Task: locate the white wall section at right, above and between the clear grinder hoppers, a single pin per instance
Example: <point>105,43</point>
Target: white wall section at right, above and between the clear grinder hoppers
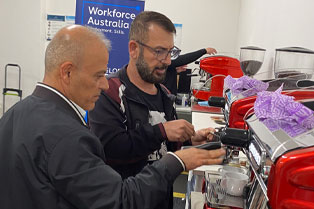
<point>272,24</point>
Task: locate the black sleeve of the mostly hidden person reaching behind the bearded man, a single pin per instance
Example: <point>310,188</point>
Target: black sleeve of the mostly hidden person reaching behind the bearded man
<point>171,77</point>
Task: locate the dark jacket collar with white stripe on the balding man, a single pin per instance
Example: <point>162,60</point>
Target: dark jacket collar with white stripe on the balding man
<point>53,95</point>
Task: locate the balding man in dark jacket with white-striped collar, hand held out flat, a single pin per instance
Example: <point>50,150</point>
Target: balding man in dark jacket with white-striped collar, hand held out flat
<point>48,157</point>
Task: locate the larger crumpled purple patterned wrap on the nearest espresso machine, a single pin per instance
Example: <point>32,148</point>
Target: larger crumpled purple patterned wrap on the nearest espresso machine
<point>279,111</point>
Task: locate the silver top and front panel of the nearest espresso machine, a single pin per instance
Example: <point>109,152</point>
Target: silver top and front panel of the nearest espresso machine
<point>264,149</point>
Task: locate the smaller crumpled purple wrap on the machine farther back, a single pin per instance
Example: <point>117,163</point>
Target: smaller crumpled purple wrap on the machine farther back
<point>245,85</point>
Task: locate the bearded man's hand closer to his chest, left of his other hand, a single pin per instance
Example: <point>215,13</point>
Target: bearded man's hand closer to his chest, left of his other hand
<point>179,130</point>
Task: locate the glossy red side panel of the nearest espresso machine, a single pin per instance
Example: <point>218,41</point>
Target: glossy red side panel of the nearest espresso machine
<point>290,183</point>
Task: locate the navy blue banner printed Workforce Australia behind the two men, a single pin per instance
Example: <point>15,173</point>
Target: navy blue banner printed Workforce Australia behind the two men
<point>113,18</point>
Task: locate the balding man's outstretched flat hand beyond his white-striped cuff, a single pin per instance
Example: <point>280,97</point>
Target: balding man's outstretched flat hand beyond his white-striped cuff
<point>193,157</point>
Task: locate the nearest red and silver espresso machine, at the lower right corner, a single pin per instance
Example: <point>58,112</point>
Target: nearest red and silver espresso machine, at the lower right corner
<point>280,168</point>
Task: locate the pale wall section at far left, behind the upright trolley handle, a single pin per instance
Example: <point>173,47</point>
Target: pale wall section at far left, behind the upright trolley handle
<point>21,41</point>
